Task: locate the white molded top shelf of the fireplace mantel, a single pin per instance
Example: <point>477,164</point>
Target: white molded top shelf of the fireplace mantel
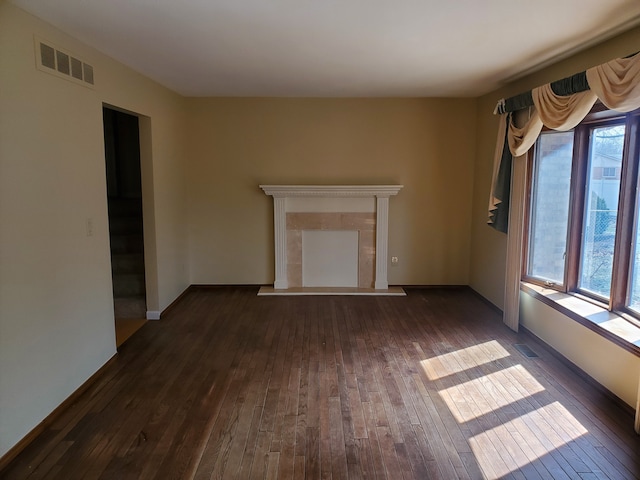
<point>331,190</point>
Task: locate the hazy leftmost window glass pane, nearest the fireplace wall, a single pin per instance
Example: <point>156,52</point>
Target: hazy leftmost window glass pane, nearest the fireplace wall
<point>550,206</point>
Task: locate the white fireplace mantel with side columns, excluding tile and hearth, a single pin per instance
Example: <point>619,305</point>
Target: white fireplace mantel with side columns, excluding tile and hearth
<point>379,193</point>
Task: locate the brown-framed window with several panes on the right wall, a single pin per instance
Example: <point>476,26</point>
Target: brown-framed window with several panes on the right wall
<point>583,211</point>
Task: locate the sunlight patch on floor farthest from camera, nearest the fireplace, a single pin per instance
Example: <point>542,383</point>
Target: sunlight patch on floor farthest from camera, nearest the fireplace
<point>463,359</point>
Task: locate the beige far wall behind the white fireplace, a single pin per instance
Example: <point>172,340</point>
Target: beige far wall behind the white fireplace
<point>236,144</point>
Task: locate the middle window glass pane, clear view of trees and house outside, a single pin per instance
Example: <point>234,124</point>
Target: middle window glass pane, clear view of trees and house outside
<point>602,190</point>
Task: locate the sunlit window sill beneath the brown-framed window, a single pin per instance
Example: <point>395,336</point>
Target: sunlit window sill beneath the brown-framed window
<point>601,321</point>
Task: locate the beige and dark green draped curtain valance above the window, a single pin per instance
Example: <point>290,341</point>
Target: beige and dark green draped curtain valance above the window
<point>558,105</point>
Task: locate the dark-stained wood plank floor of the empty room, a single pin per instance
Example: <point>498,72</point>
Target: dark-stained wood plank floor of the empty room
<point>232,385</point>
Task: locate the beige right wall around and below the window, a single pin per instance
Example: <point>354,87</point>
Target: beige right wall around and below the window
<point>612,366</point>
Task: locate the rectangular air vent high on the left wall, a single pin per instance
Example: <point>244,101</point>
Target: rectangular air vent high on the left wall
<point>62,63</point>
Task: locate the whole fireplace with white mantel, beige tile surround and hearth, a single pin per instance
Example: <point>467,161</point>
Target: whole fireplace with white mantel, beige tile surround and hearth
<point>331,239</point>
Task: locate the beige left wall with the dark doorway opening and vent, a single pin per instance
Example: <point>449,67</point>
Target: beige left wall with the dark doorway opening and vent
<point>56,313</point>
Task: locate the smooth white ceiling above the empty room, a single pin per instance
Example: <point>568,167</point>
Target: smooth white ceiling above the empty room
<point>337,48</point>
